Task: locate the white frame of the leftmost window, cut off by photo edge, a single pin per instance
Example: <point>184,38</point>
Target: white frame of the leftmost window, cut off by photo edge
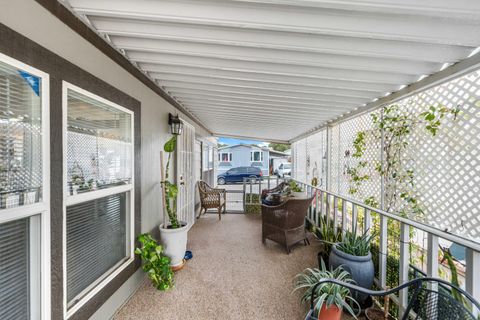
<point>38,213</point>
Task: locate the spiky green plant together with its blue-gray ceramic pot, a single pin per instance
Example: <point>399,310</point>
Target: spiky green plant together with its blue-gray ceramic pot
<point>353,253</point>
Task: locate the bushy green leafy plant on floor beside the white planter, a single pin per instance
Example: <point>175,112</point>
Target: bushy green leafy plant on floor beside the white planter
<point>156,264</point>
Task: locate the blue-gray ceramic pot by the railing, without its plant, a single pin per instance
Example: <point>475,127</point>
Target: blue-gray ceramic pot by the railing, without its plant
<point>360,268</point>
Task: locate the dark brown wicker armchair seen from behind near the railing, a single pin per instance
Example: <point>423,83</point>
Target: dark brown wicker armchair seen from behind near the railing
<point>285,223</point>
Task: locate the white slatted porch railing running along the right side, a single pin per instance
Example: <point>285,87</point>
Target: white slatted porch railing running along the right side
<point>347,214</point>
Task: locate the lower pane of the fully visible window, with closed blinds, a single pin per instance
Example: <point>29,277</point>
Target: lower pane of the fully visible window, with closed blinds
<point>96,242</point>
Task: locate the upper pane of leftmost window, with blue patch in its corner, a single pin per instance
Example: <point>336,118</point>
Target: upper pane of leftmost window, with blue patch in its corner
<point>20,137</point>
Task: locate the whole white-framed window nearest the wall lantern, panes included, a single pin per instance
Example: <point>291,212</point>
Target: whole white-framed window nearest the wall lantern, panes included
<point>99,178</point>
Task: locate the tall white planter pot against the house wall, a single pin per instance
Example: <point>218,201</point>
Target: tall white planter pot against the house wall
<point>174,242</point>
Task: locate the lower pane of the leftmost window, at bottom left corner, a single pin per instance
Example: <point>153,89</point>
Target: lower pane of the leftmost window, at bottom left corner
<point>14,270</point>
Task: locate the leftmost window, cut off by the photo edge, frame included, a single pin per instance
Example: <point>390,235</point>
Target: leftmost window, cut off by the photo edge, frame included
<point>24,192</point>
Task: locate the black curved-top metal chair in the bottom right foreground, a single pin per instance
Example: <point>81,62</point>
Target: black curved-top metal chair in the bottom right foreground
<point>429,298</point>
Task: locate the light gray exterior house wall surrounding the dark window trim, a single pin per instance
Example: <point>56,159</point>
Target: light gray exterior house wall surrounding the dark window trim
<point>31,20</point>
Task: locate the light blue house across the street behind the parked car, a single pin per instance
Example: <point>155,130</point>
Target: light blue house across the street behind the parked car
<point>243,155</point>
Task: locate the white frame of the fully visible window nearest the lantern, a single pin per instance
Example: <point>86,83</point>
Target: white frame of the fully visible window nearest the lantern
<point>70,200</point>
